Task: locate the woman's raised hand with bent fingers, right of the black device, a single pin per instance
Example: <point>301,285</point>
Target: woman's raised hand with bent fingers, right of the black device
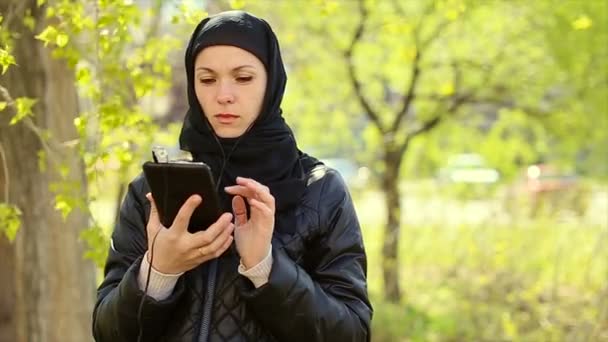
<point>253,236</point>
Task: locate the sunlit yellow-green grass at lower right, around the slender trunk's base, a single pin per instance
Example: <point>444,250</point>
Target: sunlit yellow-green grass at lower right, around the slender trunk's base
<point>540,282</point>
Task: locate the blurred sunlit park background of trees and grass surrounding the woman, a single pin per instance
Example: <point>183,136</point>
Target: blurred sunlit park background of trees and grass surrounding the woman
<point>473,136</point>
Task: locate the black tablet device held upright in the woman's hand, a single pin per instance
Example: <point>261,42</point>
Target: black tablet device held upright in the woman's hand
<point>172,183</point>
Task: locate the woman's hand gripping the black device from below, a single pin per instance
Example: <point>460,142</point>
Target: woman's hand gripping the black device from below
<point>176,250</point>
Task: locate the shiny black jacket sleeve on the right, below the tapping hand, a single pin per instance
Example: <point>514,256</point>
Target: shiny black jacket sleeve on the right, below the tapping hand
<point>329,303</point>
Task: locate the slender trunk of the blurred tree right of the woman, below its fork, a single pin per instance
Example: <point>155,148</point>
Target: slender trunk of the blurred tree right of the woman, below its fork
<point>390,260</point>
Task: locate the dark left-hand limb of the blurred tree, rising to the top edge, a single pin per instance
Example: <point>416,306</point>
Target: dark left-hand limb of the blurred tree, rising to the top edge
<point>348,54</point>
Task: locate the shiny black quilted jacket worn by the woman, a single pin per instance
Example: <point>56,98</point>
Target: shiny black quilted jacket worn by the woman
<point>316,290</point>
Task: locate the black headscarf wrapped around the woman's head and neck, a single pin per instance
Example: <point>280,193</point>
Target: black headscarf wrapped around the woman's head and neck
<point>267,152</point>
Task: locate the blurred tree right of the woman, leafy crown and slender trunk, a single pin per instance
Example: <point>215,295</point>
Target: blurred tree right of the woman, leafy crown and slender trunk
<point>386,75</point>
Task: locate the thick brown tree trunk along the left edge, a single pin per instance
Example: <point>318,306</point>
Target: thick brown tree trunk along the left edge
<point>50,286</point>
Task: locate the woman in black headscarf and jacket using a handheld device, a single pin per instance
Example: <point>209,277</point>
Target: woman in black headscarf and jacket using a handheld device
<point>297,268</point>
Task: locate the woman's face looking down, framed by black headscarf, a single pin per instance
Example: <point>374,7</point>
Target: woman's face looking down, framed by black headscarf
<point>229,83</point>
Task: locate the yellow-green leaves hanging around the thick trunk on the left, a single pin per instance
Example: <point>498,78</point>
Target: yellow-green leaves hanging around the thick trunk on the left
<point>115,67</point>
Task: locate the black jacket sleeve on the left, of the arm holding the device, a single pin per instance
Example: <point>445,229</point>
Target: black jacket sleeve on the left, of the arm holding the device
<point>115,317</point>
